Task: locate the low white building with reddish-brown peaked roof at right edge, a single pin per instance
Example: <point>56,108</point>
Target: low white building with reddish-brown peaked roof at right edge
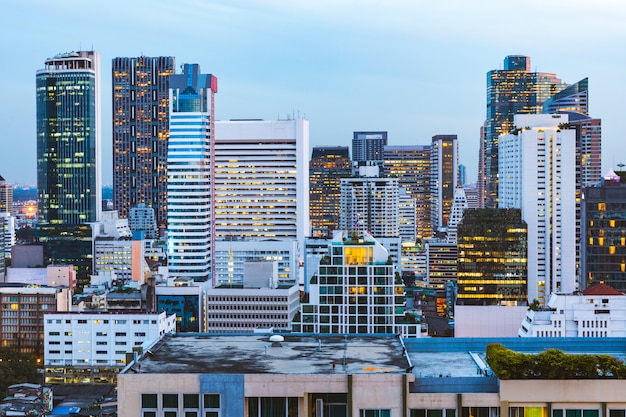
<point>599,311</point>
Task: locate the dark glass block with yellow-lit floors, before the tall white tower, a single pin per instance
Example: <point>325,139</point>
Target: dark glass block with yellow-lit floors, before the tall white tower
<point>492,259</point>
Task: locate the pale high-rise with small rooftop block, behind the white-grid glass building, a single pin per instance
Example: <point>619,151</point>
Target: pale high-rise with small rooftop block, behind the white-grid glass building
<point>369,204</point>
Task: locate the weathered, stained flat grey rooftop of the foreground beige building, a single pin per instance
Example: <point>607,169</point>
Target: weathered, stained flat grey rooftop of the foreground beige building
<point>255,354</point>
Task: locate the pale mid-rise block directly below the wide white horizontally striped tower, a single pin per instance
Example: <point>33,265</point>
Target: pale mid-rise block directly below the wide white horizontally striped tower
<point>231,256</point>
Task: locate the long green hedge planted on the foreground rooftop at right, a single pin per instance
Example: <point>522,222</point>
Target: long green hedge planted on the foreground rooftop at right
<point>552,364</point>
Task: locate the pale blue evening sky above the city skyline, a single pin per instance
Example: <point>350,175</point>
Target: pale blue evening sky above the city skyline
<point>413,68</point>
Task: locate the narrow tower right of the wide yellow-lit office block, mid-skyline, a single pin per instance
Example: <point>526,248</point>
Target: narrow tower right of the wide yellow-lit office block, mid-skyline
<point>443,179</point>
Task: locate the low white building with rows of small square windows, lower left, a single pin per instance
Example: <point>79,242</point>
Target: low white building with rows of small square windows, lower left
<point>90,347</point>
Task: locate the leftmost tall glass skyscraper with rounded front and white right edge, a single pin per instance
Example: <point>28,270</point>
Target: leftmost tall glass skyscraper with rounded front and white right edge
<point>69,184</point>
